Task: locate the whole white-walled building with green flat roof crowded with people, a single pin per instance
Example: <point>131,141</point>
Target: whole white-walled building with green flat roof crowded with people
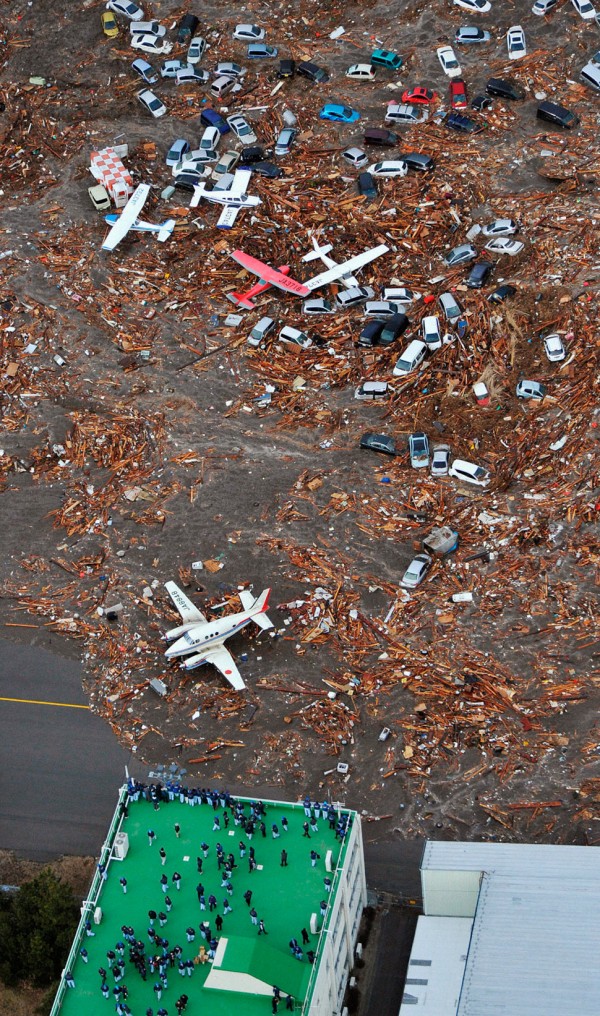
<point>313,893</point>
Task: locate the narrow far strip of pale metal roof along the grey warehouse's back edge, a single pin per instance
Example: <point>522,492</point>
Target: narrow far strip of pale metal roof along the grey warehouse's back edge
<point>536,860</point>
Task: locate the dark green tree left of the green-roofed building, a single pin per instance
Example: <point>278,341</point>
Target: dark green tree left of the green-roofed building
<point>37,928</point>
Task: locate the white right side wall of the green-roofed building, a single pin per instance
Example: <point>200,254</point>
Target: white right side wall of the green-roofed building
<point>339,938</point>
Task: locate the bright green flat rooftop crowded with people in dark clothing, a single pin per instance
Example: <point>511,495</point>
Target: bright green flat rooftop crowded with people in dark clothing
<point>247,965</point>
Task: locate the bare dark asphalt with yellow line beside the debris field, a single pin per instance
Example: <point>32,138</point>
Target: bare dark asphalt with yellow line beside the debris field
<point>61,768</point>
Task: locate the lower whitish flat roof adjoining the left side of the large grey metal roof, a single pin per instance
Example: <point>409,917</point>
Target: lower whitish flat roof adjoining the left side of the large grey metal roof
<point>437,966</point>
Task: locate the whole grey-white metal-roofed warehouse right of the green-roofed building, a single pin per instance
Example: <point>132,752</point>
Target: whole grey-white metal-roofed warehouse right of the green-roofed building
<point>509,930</point>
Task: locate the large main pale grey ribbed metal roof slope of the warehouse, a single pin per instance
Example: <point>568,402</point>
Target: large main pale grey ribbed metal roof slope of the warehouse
<point>536,944</point>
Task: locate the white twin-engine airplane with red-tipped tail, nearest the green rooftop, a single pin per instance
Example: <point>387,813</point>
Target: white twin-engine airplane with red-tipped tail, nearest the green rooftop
<point>206,640</point>
